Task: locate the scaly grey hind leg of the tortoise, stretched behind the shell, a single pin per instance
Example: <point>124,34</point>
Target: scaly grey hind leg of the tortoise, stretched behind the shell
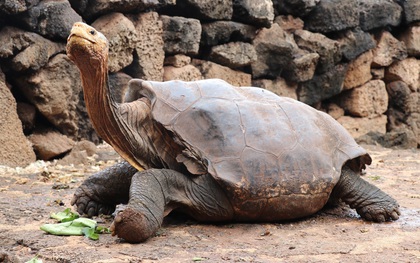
<point>371,203</point>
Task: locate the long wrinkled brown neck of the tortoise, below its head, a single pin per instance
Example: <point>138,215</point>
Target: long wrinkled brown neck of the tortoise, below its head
<point>111,122</point>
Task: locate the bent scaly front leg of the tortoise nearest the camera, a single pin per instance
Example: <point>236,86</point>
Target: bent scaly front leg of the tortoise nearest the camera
<point>155,193</point>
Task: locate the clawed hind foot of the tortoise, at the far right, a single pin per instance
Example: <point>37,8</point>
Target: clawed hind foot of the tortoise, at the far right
<point>380,212</point>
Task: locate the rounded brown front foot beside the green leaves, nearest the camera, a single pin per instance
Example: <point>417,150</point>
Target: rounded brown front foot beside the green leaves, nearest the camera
<point>131,226</point>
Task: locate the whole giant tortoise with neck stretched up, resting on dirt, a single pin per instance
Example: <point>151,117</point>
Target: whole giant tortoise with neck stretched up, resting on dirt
<point>214,151</point>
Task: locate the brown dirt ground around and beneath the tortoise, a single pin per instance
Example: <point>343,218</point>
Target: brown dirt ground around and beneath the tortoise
<point>28,196</point>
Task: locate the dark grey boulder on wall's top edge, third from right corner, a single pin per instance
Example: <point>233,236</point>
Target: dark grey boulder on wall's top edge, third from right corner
<point>333,15</point>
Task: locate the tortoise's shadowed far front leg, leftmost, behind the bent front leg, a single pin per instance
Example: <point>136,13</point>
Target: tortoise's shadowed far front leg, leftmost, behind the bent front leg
<point>101,192</point>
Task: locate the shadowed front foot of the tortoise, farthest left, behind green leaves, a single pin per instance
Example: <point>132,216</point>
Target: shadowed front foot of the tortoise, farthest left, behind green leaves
<point>87,203</point>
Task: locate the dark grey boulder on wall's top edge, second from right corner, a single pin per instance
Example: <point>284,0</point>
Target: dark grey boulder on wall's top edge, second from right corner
<point>379,13</point>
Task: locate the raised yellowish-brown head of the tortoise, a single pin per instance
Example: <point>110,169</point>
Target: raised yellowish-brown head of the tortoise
<point>87,47</point>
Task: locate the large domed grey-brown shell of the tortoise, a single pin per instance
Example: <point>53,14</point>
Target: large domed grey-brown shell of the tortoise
<point>260,147</point>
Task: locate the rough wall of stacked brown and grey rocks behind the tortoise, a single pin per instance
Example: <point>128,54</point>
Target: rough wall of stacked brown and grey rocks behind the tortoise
<point>356,60</point>
